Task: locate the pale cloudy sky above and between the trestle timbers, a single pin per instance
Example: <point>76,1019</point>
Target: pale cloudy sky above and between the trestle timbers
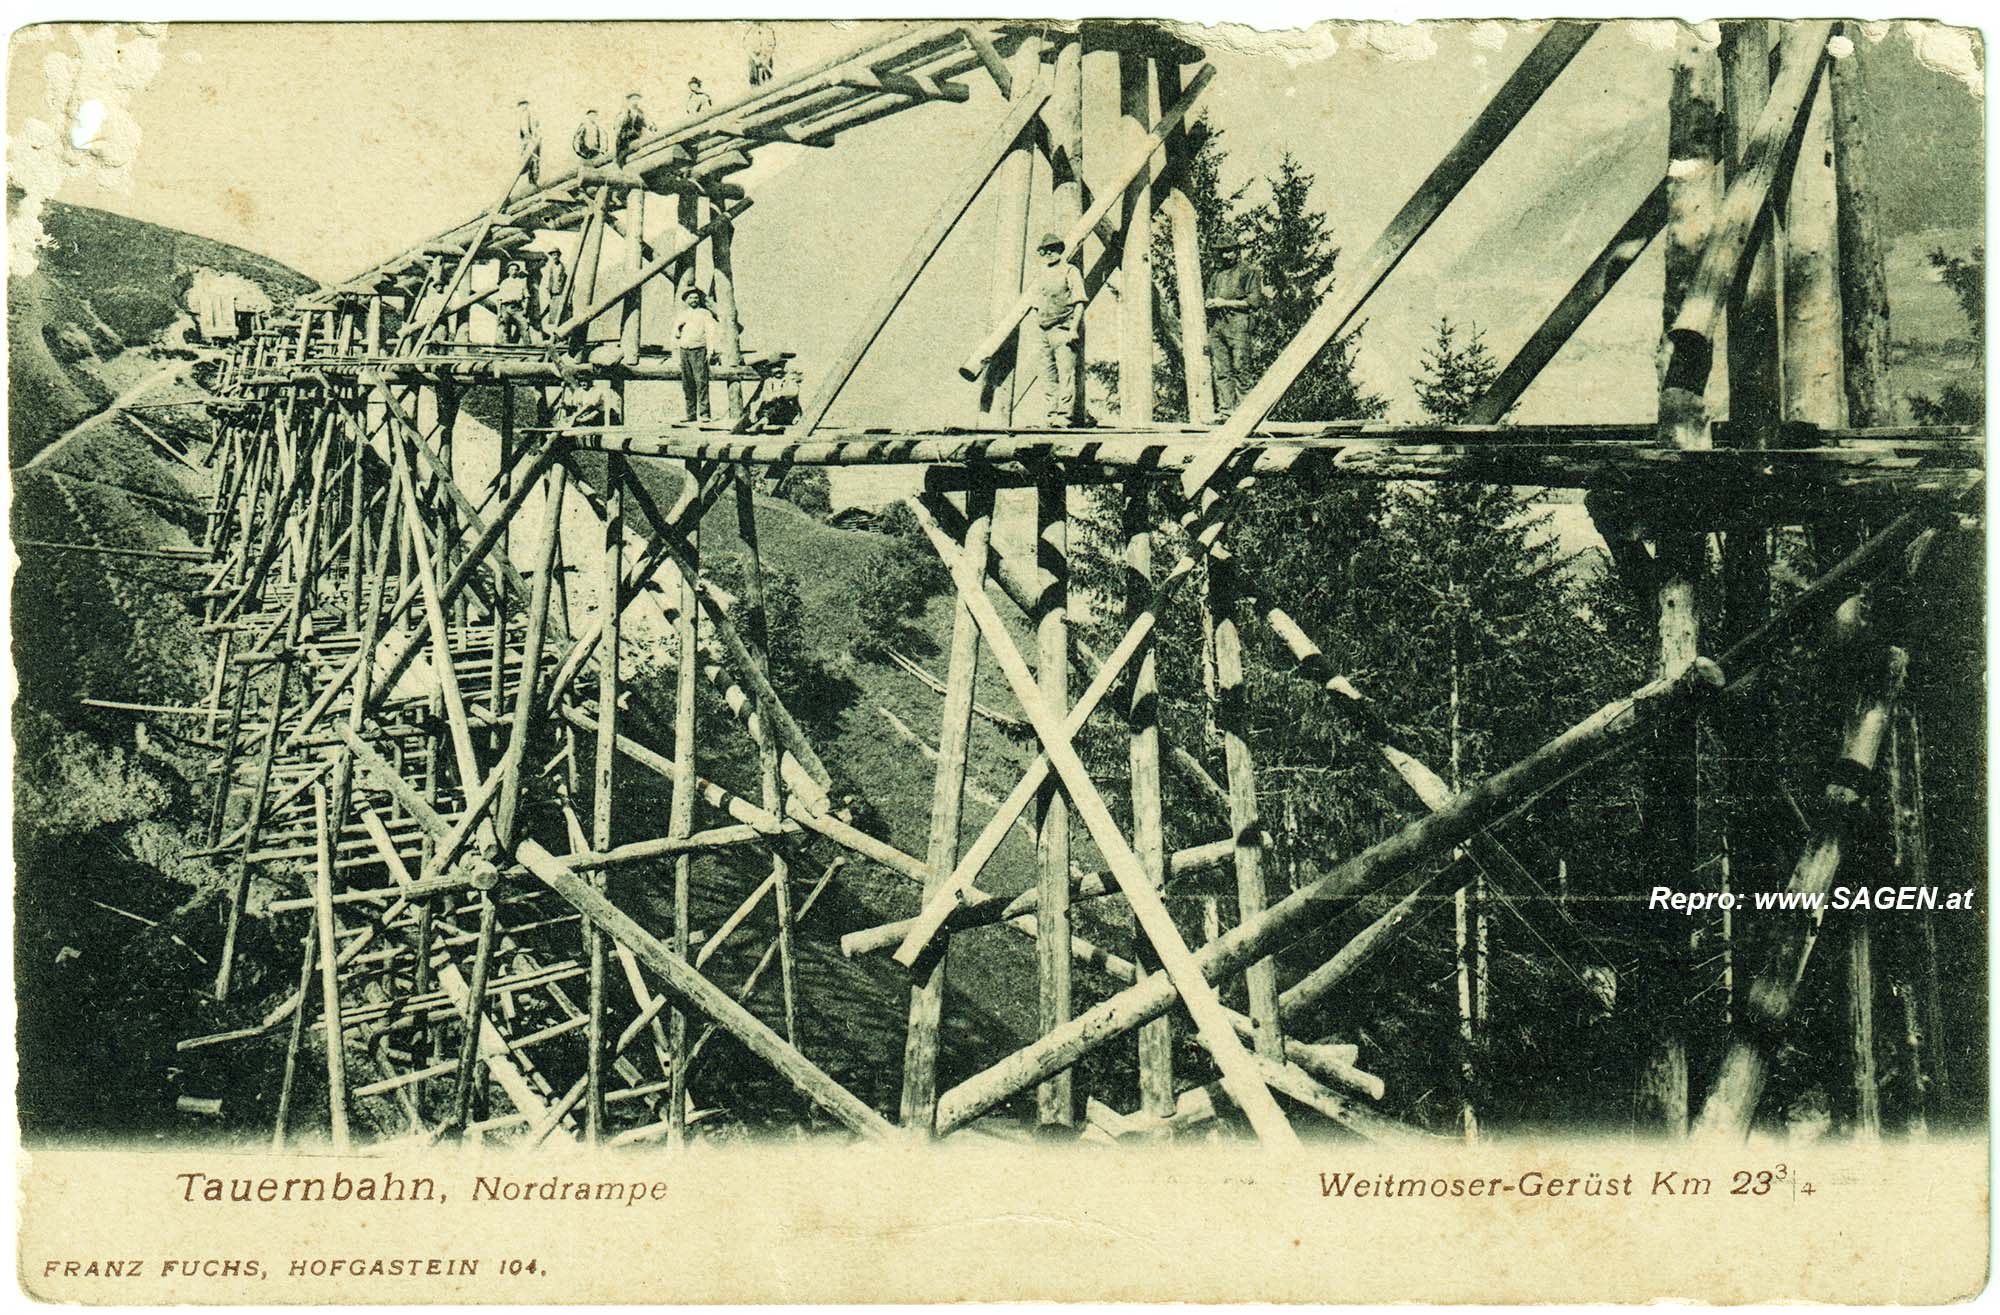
<point>331,147</point>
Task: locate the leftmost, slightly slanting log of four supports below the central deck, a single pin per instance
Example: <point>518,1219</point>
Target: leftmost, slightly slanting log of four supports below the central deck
<point>947,806</point>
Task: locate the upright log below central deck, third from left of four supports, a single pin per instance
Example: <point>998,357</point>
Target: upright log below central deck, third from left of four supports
<point>1149,836</point>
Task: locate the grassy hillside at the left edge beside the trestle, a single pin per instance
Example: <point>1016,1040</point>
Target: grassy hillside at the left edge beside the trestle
<point>103,802</point>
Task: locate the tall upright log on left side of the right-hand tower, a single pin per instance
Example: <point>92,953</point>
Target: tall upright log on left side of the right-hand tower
<point>1695,197</point>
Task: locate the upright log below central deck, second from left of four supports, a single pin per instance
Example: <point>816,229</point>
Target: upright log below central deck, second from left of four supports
<point>1055,1098</point>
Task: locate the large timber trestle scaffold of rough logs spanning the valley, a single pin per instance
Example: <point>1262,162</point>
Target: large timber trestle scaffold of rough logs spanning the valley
<point>419,740</point>
